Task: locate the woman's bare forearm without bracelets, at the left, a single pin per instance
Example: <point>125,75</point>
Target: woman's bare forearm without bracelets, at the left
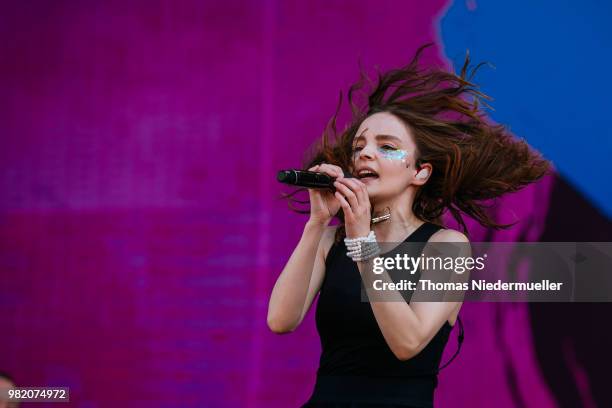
<point>301,279</point>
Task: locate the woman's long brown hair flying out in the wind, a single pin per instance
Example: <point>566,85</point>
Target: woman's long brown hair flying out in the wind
<point>473,160</point>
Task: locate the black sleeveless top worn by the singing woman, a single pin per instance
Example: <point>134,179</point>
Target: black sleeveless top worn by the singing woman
<point>357,368</point>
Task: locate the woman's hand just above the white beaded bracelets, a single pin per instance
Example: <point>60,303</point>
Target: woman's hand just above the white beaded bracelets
<point>355,202</point>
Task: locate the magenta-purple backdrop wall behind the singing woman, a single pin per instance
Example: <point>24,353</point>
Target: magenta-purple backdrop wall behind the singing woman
<point>140,227</point>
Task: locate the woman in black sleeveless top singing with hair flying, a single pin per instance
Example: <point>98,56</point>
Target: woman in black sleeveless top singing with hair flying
<point>420,146</point>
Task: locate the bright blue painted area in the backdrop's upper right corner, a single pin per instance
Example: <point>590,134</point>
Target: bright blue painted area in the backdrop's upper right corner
<point>551,81</point>
